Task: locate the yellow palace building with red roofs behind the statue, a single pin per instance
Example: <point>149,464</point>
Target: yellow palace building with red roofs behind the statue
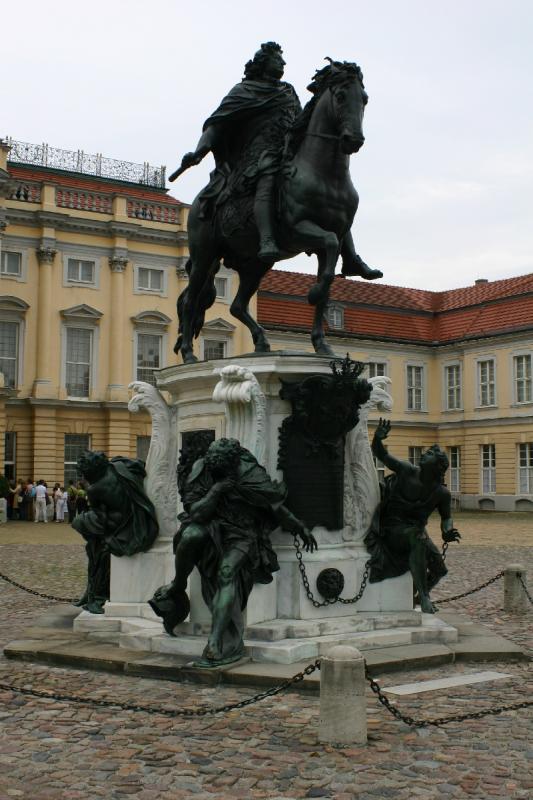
<point>93,255</point>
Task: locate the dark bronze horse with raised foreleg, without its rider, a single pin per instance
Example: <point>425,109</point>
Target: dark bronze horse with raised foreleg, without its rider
<point>317,205</point>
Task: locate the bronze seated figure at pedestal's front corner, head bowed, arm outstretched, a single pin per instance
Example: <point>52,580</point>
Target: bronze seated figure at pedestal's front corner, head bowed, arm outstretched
<point>231,506</point>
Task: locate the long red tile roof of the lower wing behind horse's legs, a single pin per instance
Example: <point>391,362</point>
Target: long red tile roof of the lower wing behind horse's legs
<point>402,314</point>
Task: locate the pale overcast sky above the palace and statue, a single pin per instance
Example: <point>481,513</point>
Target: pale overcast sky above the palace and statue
<point>445,177</point>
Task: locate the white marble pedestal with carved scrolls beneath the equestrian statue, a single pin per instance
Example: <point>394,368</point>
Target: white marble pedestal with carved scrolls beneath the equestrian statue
<point>240,399</point>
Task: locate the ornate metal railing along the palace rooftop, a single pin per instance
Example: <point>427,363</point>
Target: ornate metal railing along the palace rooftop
<point>43,155</point>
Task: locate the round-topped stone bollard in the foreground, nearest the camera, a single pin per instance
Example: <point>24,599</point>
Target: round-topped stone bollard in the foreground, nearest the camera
<point>342,697</point>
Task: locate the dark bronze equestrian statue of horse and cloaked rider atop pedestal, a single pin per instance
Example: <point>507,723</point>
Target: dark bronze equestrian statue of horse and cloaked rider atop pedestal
<point>281,186</point>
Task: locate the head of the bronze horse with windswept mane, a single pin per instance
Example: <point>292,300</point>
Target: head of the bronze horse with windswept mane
<point>344,81</point>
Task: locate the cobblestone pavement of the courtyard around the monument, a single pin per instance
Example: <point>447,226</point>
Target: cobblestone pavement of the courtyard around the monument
<point>55,751</point>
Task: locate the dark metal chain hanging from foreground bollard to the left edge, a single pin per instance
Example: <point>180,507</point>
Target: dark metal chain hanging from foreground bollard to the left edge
<point>166,712</point>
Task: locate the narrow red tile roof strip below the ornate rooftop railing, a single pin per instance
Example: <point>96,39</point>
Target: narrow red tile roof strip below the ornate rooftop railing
<point>76,181</point>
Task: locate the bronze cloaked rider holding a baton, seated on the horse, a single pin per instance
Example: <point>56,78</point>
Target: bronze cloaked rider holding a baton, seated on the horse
<point>247,136</point>
